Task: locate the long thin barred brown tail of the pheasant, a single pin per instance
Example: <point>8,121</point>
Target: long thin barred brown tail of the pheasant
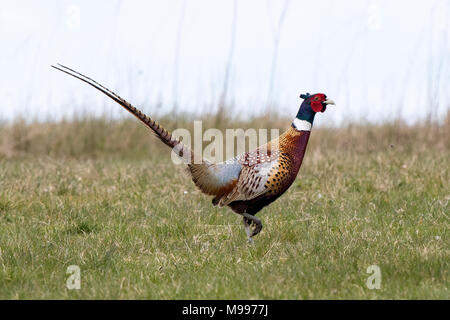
<point>163,135</point>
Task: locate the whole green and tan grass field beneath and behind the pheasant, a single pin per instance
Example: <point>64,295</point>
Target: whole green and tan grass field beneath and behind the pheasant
<point>106,197</point>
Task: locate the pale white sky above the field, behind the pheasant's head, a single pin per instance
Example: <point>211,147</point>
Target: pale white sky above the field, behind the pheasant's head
<point>376,59</point>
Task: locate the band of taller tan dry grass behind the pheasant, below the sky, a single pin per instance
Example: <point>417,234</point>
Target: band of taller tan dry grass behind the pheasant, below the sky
<point>88,138</point>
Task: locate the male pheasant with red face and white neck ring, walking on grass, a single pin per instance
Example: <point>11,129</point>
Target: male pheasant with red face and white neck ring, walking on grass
<point>250,181</point>
